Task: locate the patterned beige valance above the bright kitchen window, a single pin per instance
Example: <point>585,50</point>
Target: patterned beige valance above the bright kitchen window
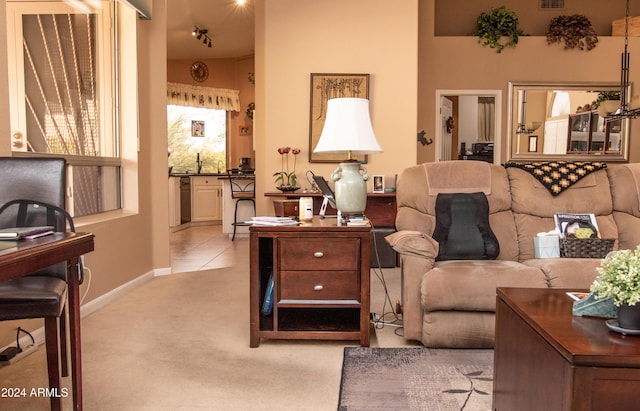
<point>203,97</point>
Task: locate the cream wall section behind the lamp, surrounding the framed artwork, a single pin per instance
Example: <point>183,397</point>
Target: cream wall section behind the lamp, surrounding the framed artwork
<point>334,36</point>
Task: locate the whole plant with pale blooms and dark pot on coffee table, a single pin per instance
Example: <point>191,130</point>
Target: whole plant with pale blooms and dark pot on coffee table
<point>619,279</point>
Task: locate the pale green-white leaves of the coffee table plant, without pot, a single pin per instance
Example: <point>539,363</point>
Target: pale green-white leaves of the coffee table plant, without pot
<point>619,277</point>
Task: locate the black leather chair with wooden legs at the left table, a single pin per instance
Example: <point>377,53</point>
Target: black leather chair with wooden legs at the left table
<point>32,193</point>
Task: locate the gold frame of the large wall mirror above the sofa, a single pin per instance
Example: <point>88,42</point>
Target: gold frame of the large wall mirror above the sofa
<point>512,122</point>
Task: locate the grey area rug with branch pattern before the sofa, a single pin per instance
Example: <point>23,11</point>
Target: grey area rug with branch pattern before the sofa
<point>416,379</point>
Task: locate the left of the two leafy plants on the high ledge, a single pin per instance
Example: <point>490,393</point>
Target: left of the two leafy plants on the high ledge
<point>497,23</point>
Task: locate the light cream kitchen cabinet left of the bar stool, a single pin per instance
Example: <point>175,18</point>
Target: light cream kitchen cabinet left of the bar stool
<point>206,199</point>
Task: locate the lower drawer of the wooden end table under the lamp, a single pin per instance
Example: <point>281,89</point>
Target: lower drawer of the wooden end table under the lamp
<point>319,285</point>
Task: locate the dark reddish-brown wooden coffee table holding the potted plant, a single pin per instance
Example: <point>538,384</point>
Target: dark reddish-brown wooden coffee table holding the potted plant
<point>547,359</point>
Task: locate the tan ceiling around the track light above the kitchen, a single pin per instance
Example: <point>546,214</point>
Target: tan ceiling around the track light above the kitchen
<point>230,26</point>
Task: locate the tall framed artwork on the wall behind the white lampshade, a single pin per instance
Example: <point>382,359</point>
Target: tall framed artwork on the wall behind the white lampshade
<point>325,86</point>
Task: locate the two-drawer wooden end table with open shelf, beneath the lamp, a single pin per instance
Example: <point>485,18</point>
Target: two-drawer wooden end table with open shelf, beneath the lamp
<point>309,281</point>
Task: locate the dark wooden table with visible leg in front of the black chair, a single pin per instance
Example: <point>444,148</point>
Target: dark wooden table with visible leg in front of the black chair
<point>31,255</point>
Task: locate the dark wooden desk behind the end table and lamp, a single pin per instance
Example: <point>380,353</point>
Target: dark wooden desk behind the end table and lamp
<point>381,207</point>
